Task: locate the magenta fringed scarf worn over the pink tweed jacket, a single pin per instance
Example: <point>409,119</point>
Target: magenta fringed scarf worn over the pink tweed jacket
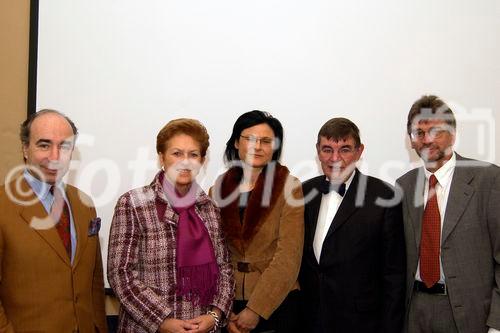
<point>197,269</point>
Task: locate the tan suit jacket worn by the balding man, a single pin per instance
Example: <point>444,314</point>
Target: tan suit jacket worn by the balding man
<point>40,290</point>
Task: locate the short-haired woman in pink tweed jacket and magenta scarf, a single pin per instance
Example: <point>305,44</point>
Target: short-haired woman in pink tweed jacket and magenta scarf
<point>168,263</point>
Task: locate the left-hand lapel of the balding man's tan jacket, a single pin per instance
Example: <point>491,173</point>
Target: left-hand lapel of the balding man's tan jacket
<point>41,223</point>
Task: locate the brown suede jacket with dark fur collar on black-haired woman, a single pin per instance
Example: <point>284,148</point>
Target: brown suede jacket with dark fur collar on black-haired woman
<point>266,248</point>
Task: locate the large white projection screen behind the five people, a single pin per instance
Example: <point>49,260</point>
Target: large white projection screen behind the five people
<point>122,69</point>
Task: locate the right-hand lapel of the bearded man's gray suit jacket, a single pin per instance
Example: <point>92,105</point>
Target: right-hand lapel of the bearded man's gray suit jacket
<point>458,199</point>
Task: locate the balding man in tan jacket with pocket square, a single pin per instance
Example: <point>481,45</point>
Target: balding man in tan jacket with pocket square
<point>51,276</point>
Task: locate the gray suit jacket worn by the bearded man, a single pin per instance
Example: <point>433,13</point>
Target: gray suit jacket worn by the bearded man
<point>470,241</point>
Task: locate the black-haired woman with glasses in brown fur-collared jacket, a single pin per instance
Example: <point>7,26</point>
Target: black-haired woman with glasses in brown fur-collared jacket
<point>262,218</point>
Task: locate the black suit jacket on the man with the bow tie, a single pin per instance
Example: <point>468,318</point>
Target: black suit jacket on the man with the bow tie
<point>358,286</point>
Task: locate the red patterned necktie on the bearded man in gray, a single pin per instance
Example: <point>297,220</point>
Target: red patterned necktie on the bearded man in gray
<point>431,235</point>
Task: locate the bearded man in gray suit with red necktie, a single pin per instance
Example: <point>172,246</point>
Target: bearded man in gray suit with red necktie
<point>451,210</point>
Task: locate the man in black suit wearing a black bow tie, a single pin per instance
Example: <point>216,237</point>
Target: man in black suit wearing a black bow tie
<point>352,274</point>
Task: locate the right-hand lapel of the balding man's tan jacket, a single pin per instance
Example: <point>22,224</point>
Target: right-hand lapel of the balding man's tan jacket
<point>79,213</point>
